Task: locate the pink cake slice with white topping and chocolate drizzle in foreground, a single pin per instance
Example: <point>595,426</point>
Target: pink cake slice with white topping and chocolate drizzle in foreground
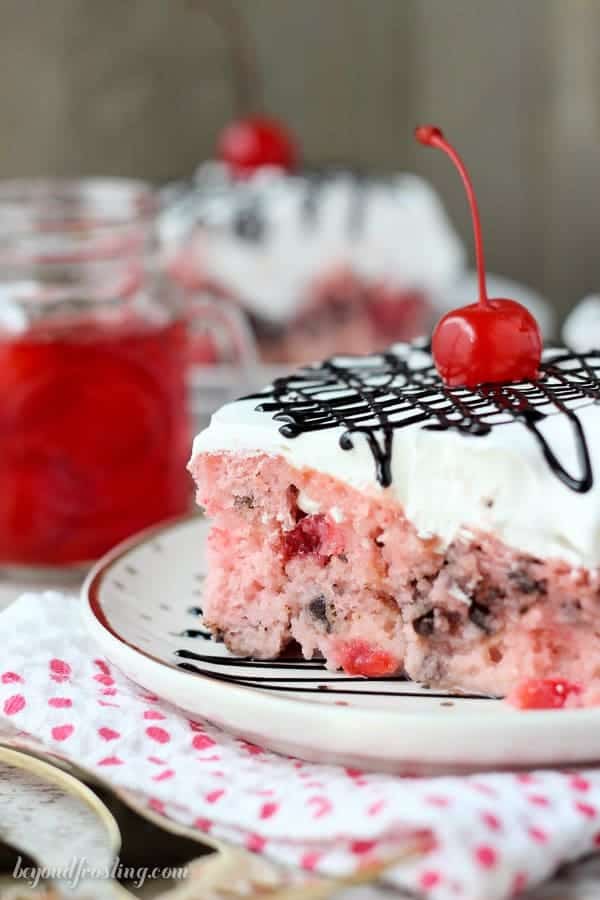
<point>389,523</point>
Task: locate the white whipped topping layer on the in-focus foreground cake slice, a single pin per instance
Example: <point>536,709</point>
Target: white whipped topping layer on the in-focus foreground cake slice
<point>448,482</point>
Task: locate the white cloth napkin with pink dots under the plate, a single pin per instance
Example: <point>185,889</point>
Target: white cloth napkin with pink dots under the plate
<point>487,836</point>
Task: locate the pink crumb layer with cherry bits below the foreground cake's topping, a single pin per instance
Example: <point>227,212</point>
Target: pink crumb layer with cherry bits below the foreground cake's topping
<point>363,590</point>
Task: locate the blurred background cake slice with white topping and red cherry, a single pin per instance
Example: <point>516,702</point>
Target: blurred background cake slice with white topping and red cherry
<point>322,261</point>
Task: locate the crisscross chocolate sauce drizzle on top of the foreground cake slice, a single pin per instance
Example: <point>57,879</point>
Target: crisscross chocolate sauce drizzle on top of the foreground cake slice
<point>376,395</point>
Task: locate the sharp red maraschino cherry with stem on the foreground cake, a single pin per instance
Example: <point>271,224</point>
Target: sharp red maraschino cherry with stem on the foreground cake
<point>493,340</point>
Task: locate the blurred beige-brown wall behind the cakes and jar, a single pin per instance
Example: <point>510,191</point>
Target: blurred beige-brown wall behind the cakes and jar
<point>143,86</point>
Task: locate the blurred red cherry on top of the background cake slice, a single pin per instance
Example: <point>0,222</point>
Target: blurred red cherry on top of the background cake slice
<point>249,144</point>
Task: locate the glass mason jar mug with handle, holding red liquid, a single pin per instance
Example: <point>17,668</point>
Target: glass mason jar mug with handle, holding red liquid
<point>94,346</point>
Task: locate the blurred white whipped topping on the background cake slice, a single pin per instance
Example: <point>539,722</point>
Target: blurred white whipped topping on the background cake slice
<point>267,239</point>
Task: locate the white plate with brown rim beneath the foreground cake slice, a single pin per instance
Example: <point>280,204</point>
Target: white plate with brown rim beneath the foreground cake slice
<point>142,602</point>
